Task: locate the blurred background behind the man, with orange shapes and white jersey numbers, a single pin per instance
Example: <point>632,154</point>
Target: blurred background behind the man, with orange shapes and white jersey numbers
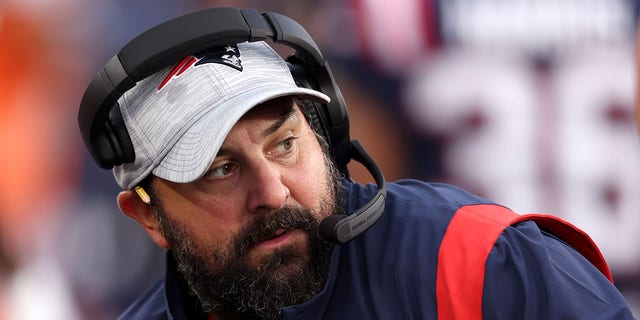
<point>527,102</point>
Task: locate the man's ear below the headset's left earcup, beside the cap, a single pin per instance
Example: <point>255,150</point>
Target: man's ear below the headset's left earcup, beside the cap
<point>136,209</point>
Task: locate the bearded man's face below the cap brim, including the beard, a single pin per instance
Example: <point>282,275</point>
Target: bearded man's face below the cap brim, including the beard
<point>245,235</point>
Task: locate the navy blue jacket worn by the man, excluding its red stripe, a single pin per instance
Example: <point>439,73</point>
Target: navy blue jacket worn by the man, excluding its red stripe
<point>389,272</point>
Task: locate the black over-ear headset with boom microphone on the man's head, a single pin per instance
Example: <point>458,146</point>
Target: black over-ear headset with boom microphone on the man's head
<point>107,138</point>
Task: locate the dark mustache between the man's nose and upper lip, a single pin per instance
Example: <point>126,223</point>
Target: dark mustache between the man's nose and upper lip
<point>269,226</point>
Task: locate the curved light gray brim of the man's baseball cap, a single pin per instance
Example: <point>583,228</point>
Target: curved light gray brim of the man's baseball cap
<point>192,155</point>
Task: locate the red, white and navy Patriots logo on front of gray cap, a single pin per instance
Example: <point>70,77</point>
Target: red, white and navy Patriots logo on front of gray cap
<point>228,55</point>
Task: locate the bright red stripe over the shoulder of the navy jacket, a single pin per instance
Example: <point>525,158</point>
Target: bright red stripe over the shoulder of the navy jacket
<point>470,237</point>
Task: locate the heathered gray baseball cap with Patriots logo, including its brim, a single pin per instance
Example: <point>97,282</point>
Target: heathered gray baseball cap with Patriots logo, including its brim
<point>179,117</point>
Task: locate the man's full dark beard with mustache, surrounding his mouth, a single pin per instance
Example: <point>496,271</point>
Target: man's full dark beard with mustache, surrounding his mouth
<point>226,284</point>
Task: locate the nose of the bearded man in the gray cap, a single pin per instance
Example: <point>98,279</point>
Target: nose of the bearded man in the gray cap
<point>267,190</point>
